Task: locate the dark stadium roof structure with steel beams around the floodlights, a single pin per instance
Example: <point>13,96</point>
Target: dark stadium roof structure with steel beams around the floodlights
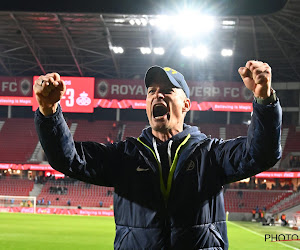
<point>80,44</point>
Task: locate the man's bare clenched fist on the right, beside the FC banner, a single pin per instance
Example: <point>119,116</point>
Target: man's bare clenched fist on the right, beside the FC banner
<point>257,76</point>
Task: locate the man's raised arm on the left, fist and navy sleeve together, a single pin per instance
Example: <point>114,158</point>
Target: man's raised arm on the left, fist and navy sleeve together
<point>87,161</point>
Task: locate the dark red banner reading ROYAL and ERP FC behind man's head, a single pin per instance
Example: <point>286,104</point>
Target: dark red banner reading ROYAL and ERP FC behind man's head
<point>199,91</point>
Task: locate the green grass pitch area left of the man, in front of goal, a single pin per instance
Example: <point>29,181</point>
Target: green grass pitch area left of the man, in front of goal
<point>58,232</point>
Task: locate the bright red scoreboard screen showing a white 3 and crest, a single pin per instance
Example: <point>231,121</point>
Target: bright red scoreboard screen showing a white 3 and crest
<point>78,97</point>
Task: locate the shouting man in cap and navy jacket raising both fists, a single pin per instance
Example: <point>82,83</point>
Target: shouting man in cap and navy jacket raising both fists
<point>168,182</point>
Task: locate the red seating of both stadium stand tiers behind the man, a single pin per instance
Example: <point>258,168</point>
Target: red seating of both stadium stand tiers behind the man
<point>18,140</point>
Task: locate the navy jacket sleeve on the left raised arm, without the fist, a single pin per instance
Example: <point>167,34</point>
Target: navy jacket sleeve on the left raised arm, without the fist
<point>91,162</point>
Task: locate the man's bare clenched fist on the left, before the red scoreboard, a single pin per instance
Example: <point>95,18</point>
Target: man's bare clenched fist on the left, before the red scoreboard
<point>49,89</point>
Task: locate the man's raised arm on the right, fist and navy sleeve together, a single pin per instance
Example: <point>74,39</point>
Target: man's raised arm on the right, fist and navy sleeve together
<point>260,150</point>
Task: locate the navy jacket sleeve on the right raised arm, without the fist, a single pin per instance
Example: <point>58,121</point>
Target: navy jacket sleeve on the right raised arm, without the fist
<point>244,157</point>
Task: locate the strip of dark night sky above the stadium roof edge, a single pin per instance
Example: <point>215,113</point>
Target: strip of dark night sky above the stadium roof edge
<point>213,7</point>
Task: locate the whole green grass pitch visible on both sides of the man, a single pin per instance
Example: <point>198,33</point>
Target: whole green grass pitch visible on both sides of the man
<point>60,232</point>
